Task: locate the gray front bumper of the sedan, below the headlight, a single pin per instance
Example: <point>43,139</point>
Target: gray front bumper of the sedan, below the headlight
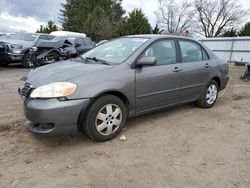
<point>53,117</point>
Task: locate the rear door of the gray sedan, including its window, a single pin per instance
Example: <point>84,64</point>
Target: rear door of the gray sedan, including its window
<point>196,68</point>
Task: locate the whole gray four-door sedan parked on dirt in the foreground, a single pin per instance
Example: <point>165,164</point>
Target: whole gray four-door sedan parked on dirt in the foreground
<point>120,79</point>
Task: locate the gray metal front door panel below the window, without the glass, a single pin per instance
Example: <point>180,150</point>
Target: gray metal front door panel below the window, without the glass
<point>157,86</point>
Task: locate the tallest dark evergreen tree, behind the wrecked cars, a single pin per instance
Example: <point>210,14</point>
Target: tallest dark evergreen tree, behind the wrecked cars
<point>74,13</point>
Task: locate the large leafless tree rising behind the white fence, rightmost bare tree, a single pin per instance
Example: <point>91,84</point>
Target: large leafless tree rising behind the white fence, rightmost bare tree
<point>216,16</point>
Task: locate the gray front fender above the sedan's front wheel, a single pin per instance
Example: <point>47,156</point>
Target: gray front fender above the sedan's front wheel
<point>103,81</point>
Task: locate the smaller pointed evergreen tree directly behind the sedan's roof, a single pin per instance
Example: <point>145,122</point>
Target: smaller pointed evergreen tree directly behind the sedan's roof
<point>135,23</point>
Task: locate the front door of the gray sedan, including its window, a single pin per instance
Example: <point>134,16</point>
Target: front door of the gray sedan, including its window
<point>159,85</point>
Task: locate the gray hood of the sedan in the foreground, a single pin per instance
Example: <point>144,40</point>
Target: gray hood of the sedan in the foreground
<point>61,71</point>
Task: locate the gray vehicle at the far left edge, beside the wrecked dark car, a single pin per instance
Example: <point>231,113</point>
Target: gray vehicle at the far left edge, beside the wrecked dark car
<point>15,47</point>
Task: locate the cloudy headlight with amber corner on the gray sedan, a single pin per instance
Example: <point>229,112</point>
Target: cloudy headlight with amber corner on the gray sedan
<point>54,90</point>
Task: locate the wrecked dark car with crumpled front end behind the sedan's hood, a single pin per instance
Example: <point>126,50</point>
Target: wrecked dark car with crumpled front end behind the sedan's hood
<point>59,48</point>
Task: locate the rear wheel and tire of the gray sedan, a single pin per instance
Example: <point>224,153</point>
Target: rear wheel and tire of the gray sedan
<point>206,100</point>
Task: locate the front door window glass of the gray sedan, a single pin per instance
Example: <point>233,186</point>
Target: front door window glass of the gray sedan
<point>164,52</point>
